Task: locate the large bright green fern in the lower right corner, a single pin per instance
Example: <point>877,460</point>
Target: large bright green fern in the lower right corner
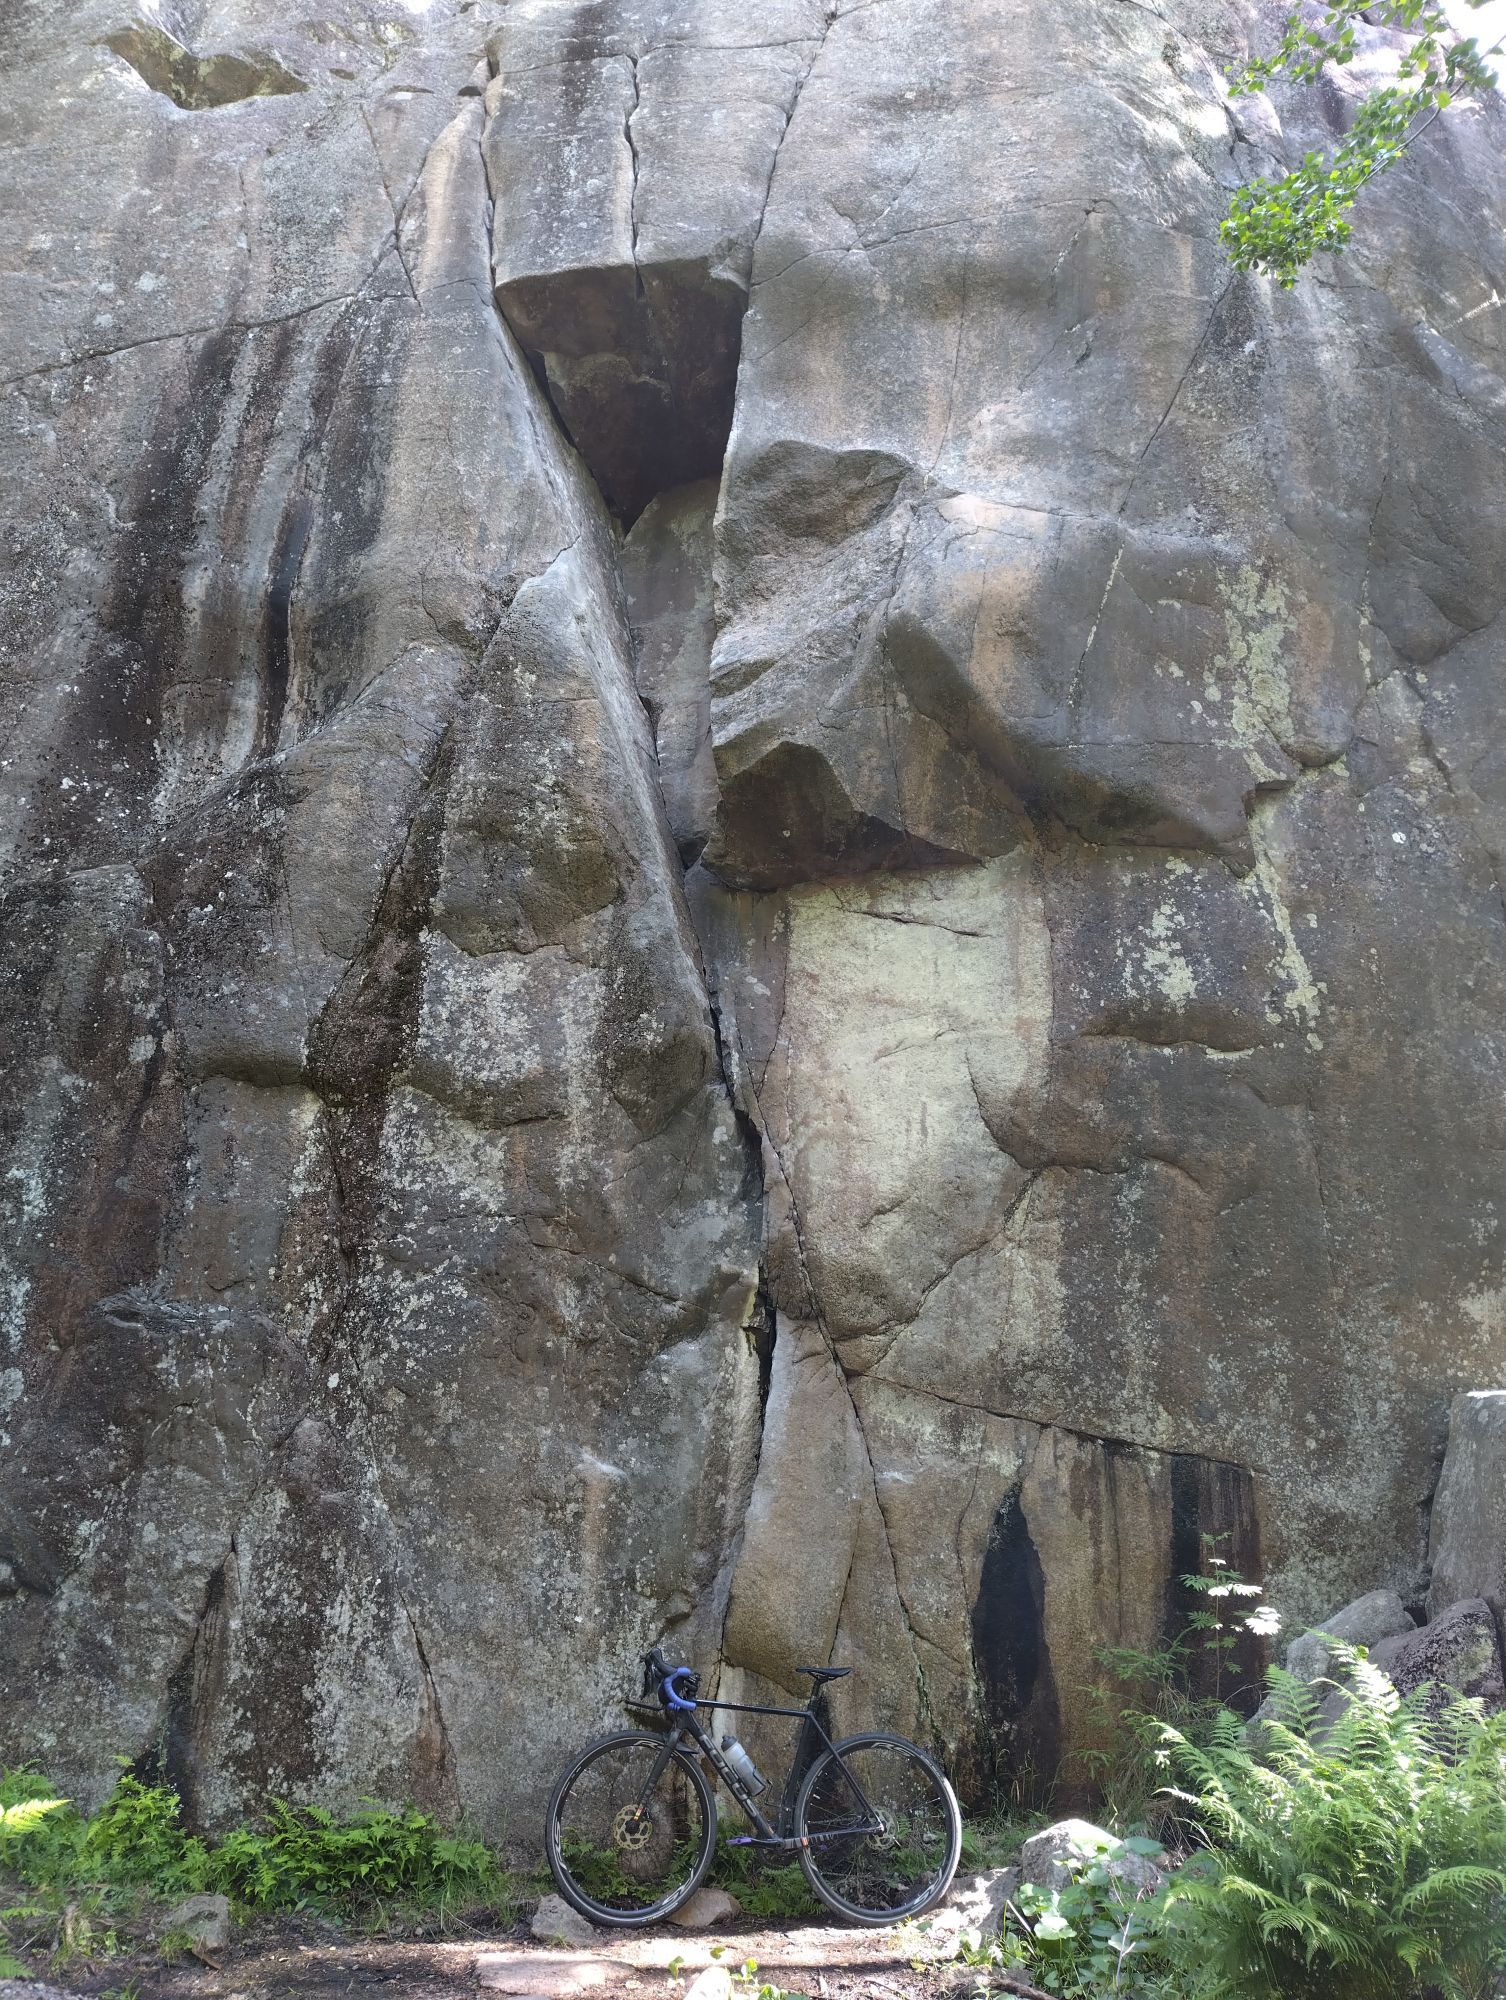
<point>1355,1857</point>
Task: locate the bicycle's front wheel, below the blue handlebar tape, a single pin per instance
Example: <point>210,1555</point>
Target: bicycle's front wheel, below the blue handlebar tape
<point>631,1831</point>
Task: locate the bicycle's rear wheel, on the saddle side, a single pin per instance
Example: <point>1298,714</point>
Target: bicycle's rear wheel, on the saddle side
<point>883,1831</point>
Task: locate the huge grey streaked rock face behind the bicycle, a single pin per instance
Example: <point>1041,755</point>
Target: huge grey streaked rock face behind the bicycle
<point>753,871</point>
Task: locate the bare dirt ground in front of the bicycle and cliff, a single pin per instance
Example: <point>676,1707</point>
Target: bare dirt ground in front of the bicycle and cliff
<point>273,1959</point>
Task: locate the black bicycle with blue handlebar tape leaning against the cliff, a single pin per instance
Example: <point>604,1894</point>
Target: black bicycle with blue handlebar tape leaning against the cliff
<point>631,1827</point>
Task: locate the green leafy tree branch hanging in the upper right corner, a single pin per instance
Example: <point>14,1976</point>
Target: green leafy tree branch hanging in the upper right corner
<point>1277,225</point>
